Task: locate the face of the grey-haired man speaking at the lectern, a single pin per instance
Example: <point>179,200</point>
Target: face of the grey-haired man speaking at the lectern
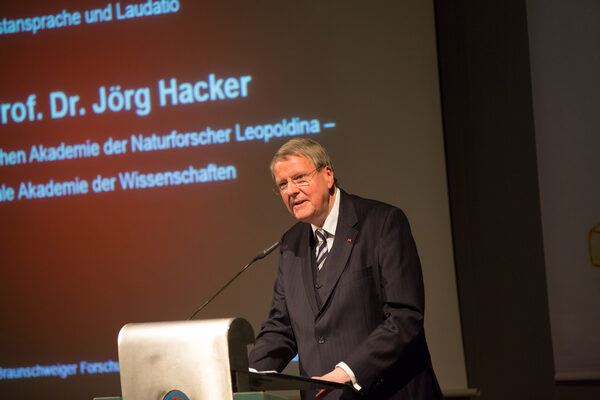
<point>310,203</point>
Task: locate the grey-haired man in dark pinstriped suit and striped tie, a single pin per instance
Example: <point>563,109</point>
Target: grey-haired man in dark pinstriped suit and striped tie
<point>349,291</point>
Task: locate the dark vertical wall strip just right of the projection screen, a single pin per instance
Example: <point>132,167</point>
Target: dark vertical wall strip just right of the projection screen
<point>495,208</point>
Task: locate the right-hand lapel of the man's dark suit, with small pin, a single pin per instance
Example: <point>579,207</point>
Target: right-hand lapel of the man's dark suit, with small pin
<point>337,260</point>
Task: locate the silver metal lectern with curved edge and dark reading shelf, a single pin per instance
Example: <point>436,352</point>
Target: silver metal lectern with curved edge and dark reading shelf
<point>196,360</point>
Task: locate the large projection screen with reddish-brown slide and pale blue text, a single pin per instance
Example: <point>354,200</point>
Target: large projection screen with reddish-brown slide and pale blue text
<point>134,149</point>
